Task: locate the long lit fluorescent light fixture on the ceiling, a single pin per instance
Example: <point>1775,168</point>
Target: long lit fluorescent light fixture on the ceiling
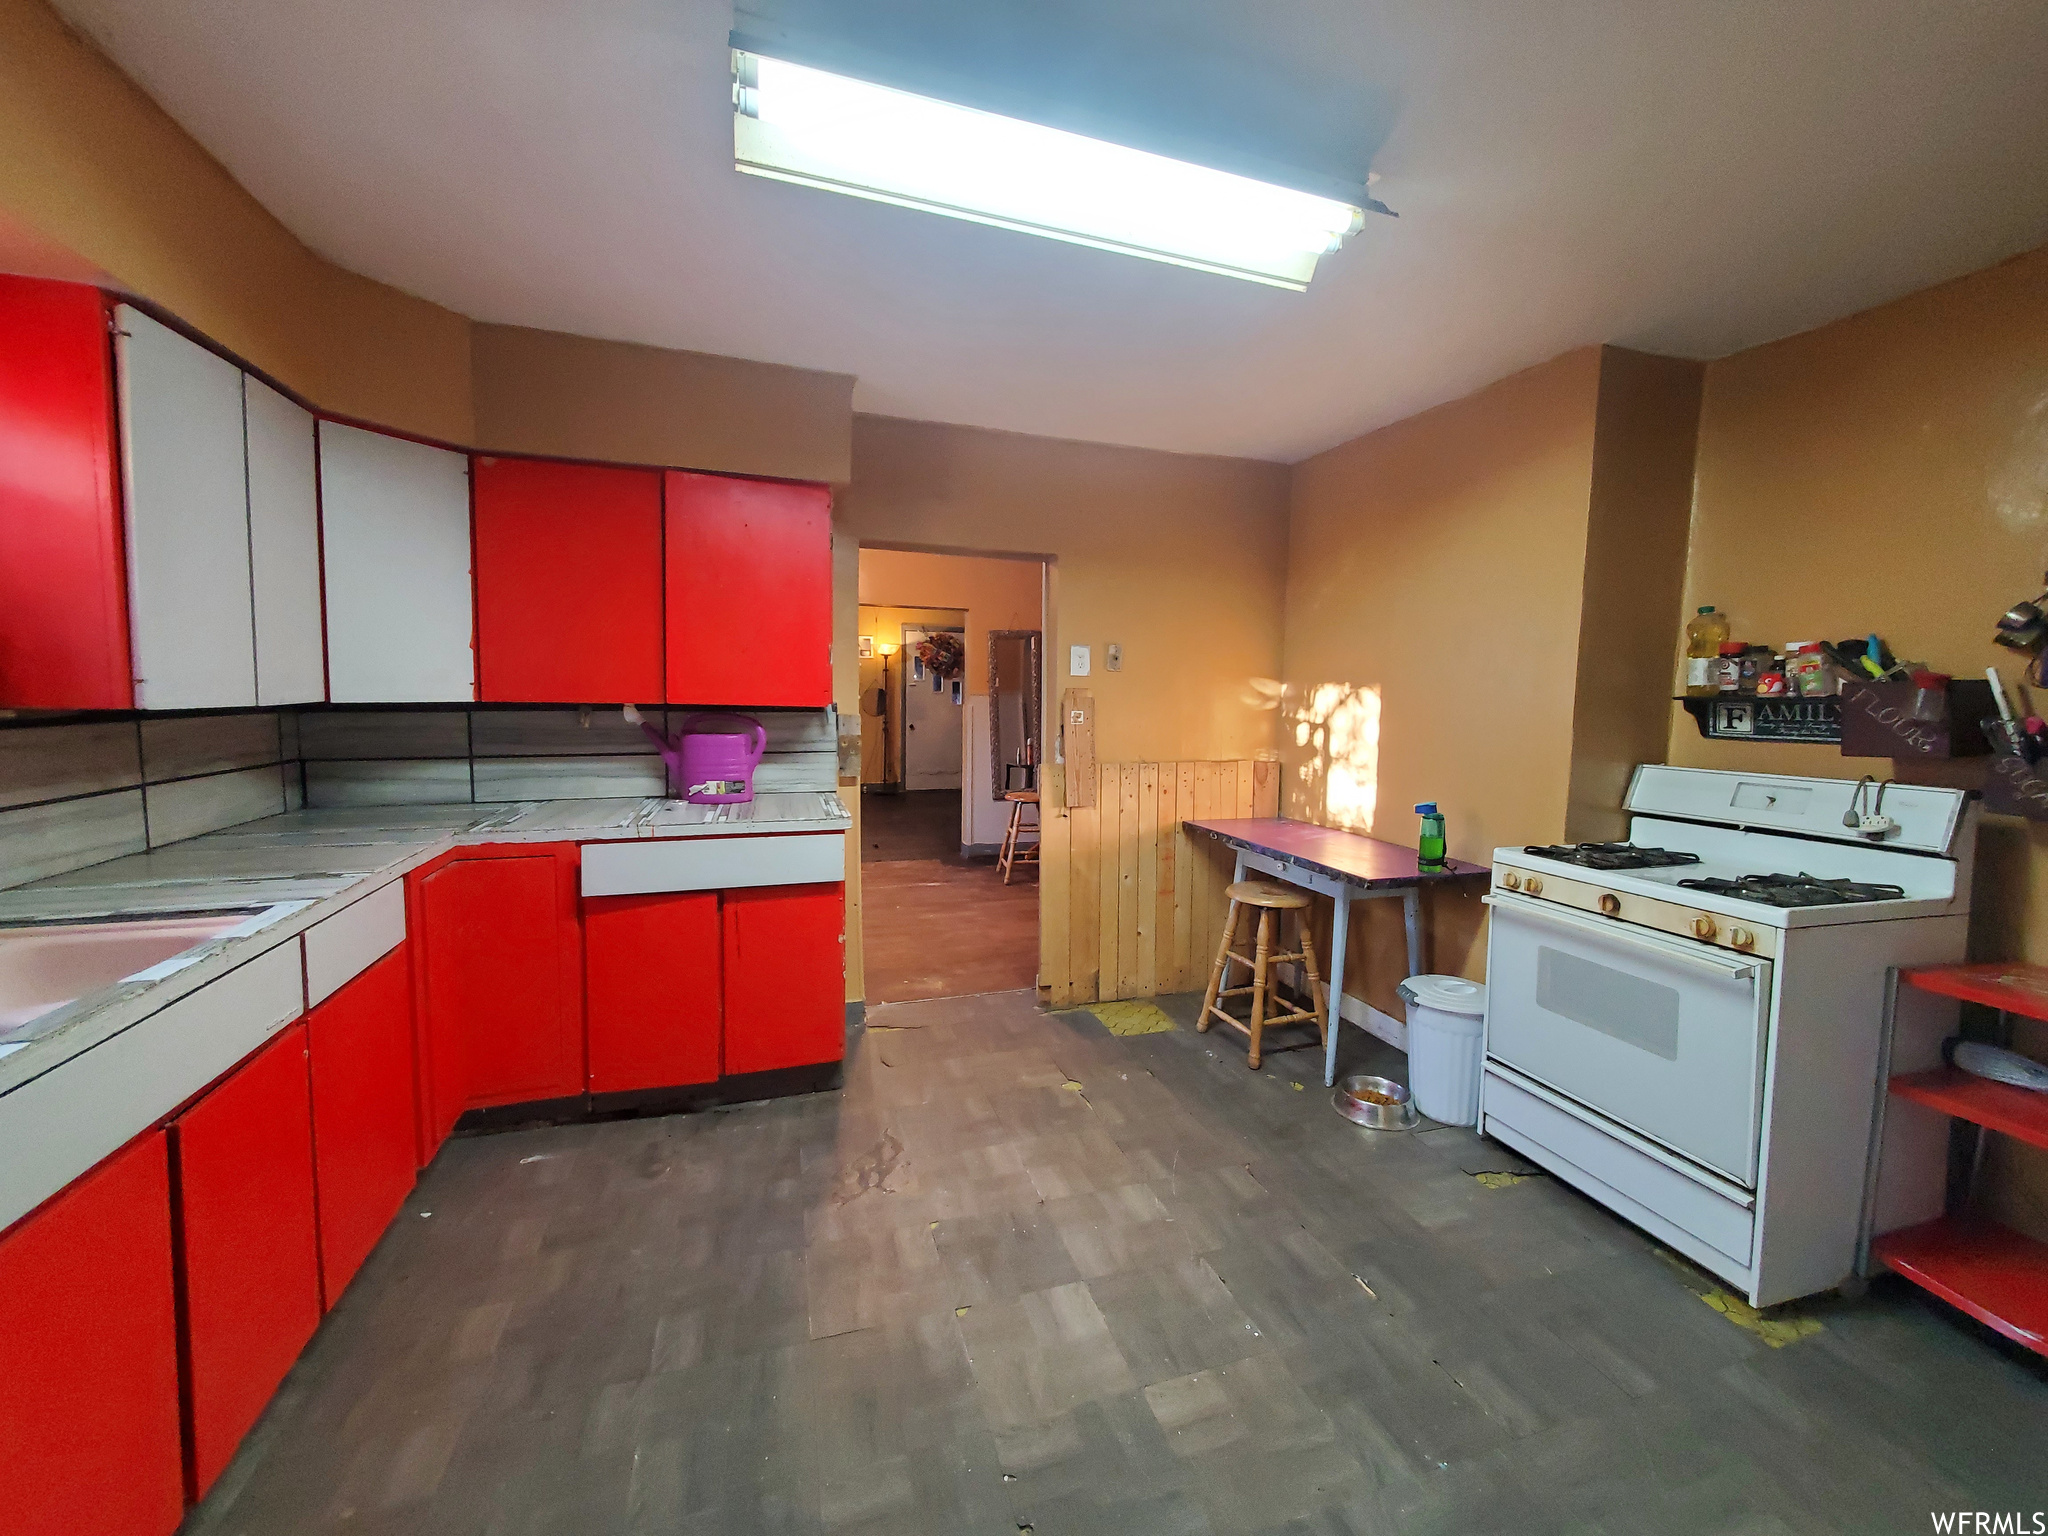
<point>849,136</point>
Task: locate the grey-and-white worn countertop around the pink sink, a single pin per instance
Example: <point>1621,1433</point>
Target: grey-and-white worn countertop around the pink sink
<point>290,871</point>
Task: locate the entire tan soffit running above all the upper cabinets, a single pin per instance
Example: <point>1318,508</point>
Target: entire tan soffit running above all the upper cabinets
<point>97,183</point>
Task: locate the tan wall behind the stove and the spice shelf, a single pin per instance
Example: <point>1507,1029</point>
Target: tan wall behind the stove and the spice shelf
<point>1891,472</point>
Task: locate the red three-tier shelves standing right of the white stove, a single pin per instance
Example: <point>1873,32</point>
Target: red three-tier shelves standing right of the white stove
<point>1979,1267</point>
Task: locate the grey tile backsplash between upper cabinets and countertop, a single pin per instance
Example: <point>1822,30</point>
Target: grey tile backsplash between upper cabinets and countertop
<point>87,792</point>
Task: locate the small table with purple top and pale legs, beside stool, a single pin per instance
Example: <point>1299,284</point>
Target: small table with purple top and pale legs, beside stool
<point>1347,867</point>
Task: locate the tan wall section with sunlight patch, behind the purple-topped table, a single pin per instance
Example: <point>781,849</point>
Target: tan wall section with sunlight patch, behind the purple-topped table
<point>1433,636</point>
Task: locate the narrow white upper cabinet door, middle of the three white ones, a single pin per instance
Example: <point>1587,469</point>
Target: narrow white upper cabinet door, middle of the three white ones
<point>284,548</point>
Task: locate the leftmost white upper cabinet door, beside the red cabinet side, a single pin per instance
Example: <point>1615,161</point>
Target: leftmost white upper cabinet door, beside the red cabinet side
<point>185,484</point>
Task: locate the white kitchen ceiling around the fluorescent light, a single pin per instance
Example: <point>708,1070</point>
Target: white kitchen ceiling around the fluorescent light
<point>1654,173</point>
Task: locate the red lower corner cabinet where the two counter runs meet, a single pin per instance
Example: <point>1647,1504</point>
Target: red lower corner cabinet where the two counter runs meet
<point>501,959</point>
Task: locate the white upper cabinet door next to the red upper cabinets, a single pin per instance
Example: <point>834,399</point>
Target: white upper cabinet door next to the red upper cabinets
<point>396,523</point>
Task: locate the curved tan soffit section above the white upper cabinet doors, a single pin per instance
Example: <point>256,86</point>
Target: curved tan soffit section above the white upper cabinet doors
<point>93,167</point>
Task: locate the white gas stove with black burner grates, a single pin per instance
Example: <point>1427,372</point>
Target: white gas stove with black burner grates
<point>1689,1027</point>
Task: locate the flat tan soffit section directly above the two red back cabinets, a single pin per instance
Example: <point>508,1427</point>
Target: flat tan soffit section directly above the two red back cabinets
<point>583,398</point>
